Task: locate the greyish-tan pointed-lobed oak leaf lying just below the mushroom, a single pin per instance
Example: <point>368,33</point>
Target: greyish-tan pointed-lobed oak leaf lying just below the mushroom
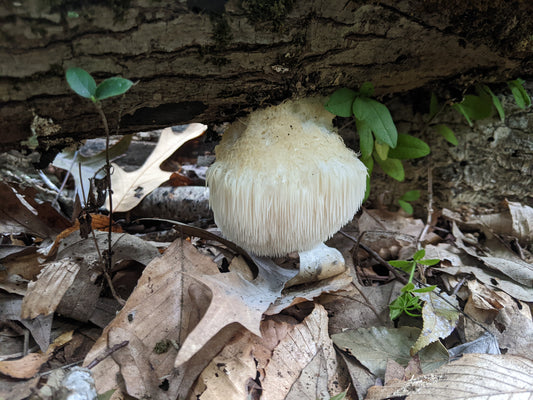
<point>235,300</point>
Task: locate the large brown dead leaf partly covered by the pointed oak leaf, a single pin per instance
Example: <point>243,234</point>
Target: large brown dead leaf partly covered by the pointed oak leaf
<point>159,310</point>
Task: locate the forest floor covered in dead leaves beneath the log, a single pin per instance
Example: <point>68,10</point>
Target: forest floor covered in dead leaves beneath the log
<point>177,312</point>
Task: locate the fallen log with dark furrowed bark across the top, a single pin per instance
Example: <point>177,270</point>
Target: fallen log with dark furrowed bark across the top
<point>213,65</point>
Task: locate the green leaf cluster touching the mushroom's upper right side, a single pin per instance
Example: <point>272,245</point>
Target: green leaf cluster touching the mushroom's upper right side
<point>379,140</point>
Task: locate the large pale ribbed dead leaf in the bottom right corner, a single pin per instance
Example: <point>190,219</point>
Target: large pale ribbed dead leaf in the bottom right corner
<point>473,376</point>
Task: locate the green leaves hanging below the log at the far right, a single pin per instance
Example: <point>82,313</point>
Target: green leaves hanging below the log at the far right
<point>479,106</point>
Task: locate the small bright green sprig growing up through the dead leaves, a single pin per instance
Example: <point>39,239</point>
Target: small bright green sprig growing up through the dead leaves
<point>408,301</point>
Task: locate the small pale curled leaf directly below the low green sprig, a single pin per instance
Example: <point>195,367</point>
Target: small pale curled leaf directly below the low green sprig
<point>439,316</point>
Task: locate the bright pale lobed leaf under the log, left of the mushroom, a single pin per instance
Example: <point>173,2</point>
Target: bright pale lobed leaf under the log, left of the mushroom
<point>129,188</point>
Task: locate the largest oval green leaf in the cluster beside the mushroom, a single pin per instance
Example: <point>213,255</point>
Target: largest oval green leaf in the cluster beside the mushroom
<point>378,117</point>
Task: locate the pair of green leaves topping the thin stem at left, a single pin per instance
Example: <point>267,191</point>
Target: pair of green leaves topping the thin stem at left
<point>84,85</point>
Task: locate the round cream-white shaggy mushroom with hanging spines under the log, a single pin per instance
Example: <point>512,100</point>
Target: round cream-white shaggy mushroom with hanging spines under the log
<point>283,180</point>
